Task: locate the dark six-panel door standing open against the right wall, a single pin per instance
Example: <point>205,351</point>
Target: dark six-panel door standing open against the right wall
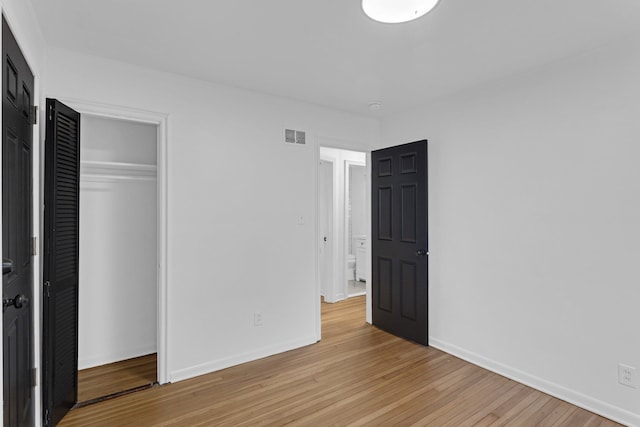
<point>399,241</point>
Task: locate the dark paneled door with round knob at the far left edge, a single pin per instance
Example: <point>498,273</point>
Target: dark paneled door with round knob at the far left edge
<point>17,199</point>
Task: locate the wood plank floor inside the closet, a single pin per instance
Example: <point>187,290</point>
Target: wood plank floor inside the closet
<point>116,377</point>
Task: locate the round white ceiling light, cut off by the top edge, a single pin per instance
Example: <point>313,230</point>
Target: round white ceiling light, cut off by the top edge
<point>396,11</point>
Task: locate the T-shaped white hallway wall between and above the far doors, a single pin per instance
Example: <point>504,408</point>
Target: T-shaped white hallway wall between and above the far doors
<point>339,157</point>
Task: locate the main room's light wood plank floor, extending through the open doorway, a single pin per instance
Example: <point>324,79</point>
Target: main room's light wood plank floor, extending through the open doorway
<point>356,376</point>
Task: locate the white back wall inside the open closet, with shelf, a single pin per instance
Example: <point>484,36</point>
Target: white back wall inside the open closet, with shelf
<point>118,230</point>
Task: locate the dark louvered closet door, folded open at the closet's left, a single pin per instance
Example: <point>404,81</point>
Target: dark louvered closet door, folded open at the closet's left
<point>61,243</point>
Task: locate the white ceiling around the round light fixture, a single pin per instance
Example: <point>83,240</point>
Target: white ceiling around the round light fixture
<point>327,52</point>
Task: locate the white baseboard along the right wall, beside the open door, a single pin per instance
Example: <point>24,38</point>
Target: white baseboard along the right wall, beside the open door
<point>589,403</point>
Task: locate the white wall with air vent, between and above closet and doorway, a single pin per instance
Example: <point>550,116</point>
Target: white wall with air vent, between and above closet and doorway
<point>236,191</point>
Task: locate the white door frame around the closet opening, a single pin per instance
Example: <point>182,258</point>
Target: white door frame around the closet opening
<point>94,109</point>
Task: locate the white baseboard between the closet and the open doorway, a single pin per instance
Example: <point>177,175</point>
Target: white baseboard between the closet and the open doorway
<point>216,365</point>
